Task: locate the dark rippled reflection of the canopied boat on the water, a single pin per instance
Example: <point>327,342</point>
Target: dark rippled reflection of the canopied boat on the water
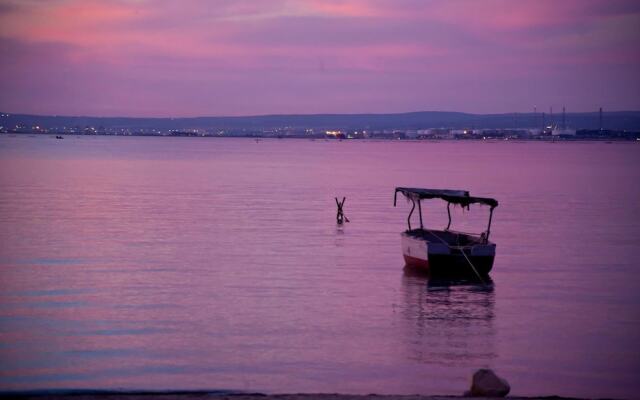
<point>449,322</point>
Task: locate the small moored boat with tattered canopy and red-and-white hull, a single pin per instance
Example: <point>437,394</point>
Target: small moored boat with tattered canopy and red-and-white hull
<point>447,252</point>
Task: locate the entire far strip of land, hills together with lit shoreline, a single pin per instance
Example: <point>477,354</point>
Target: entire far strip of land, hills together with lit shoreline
<point>319,123</point>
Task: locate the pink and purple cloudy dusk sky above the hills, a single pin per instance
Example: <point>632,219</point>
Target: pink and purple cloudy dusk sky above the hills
<point>247,57</point>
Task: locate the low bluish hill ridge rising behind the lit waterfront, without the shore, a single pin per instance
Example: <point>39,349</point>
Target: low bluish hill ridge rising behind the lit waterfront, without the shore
<point>623,120</point>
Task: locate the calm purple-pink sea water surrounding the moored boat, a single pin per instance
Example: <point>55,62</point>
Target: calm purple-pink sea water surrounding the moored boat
<point>190,263</point>
